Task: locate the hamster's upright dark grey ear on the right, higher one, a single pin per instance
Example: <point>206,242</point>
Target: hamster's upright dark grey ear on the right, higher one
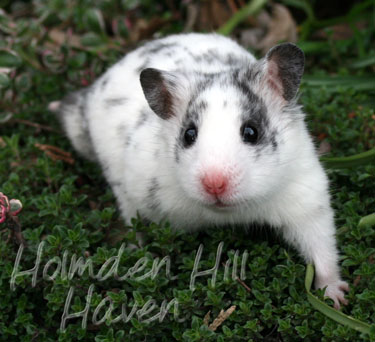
<point>284,69</point>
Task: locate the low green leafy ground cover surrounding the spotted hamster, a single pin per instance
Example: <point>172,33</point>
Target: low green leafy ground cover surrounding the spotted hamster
<point>48,48</point>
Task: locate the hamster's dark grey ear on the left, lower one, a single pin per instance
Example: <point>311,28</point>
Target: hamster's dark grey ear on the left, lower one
<point>161,89</point>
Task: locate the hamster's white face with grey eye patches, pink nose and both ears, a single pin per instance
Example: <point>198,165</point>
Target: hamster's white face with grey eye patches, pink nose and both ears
<point>231,136</point>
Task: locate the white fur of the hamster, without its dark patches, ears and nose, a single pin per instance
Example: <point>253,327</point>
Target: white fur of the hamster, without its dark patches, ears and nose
<point>288,190</point>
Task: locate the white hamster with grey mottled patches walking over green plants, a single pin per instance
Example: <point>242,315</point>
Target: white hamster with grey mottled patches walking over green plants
<point>192,129</point>
